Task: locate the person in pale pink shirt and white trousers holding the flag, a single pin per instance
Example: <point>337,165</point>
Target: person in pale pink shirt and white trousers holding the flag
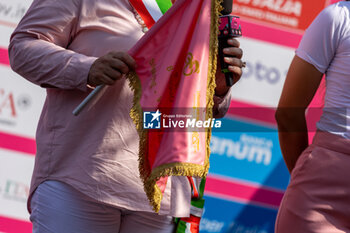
<point>86,176</point>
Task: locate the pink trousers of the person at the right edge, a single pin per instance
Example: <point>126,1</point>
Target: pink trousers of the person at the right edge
<point>317,198</point>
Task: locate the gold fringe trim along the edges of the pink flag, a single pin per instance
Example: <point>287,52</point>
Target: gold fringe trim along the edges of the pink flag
<point>149,177</point>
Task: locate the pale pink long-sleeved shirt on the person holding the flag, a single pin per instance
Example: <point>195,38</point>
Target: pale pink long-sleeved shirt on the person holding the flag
<point>96,152</point>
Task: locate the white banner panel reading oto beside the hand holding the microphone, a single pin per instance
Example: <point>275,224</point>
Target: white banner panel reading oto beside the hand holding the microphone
<point>263,78</point>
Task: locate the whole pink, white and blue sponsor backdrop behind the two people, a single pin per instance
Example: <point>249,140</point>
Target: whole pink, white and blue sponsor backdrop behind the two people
<point>247,175</point>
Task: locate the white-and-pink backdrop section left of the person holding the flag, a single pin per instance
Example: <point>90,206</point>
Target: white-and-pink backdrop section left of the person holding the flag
<point>20,106</point>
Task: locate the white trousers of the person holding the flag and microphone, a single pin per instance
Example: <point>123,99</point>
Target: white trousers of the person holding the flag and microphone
<point>59,208</point>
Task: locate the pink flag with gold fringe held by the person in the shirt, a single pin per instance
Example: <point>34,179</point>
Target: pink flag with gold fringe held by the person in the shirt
<point>174,82</point>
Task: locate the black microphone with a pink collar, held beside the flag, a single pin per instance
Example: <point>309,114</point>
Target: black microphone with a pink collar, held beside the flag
<point>229,27</point>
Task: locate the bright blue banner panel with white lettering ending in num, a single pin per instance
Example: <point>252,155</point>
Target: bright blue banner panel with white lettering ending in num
<point>248,152</point>
